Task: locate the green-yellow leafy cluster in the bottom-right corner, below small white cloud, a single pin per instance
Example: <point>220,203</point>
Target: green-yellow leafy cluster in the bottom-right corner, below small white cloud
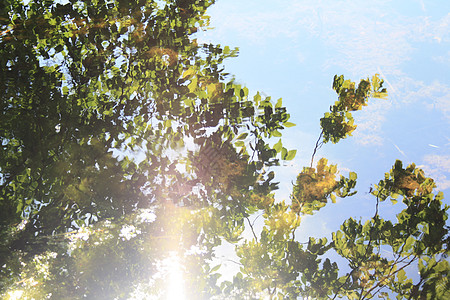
<point>380,251</point>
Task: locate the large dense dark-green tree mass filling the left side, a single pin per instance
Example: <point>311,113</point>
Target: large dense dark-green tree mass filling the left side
<point>96,100</point>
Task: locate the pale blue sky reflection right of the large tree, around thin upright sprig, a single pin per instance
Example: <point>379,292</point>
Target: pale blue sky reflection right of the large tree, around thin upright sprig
<point>292,49</point>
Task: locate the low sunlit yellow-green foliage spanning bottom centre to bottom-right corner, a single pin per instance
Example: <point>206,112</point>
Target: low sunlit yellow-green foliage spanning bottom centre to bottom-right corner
<point>381,254</point>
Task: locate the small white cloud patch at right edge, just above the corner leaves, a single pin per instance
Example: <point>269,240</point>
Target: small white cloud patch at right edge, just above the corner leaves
<point>438,168</point>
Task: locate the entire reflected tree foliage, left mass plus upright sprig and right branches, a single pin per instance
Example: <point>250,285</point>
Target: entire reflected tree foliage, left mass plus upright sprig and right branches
<point>124,143</point>
